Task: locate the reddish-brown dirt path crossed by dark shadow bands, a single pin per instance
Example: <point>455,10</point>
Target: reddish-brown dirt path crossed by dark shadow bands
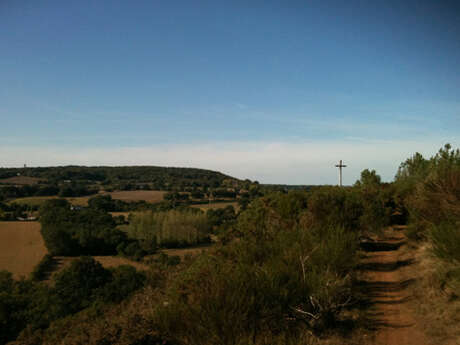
<point>387,273</point>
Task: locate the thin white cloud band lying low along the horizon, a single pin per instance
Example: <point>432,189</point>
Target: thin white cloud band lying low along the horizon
<point>267,162</point>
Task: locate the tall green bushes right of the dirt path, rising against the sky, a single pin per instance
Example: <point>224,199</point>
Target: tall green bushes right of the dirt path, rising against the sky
<point>432,197</point>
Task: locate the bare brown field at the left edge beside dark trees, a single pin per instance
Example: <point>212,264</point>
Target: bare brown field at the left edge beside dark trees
<point>21,247</point>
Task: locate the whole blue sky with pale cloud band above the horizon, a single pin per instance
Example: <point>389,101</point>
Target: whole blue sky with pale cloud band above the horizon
<point>273,91</point>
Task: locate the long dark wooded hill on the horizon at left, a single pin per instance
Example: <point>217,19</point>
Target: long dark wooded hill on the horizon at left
<point>41,181</point>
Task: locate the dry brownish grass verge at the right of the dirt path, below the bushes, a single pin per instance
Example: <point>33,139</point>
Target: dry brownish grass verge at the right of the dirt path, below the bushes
<point>437,310</point>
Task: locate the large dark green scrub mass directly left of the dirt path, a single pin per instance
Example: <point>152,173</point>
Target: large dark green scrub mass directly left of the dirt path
<point>277,277</point>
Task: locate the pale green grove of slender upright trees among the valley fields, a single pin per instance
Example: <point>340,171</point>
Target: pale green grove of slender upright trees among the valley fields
<point>170,229</point>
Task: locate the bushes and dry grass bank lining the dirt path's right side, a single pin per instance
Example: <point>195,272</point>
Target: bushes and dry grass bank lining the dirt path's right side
<point>429,188</point>
